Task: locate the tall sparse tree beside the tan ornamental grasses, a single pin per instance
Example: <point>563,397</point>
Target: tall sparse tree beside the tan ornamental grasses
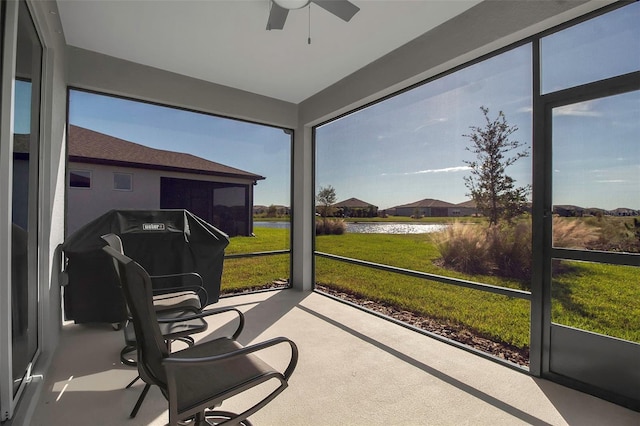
<point>493,191</point>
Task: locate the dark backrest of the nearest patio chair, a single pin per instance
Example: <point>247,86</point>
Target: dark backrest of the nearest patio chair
<point>137,289</point>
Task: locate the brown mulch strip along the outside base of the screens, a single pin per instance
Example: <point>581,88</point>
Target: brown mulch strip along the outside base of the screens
<point>440,327</point>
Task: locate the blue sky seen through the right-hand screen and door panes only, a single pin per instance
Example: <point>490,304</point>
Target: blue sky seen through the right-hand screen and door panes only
<point>412,146</point>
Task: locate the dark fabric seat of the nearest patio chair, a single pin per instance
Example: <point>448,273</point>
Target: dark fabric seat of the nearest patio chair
<point>199,383</point>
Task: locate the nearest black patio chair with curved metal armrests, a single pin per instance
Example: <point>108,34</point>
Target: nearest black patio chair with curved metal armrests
<point>200,377</point>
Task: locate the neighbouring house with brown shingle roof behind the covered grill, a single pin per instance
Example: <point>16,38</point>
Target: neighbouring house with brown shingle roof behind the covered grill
<point>107,173</point>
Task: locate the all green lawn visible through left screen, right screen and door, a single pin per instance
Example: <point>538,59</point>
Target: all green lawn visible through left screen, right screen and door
<point>595,297</point>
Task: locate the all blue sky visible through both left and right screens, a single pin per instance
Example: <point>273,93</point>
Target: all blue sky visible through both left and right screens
<point>411,146</point>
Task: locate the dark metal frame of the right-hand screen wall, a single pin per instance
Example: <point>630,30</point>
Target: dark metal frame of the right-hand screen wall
<point>539,313</point>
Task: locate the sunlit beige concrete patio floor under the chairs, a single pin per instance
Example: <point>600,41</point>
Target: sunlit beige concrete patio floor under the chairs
<point>354,369</point>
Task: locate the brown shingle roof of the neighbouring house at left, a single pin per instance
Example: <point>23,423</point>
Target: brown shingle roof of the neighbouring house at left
<point>87,146</point>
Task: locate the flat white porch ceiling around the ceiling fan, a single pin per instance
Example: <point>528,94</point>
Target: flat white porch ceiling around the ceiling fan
<point>225,41</point>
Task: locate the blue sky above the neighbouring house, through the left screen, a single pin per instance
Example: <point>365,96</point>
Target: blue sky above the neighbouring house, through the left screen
<point>258,149</point>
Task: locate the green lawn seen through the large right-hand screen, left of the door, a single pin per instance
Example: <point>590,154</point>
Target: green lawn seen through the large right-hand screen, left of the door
<point>493,316</point>
